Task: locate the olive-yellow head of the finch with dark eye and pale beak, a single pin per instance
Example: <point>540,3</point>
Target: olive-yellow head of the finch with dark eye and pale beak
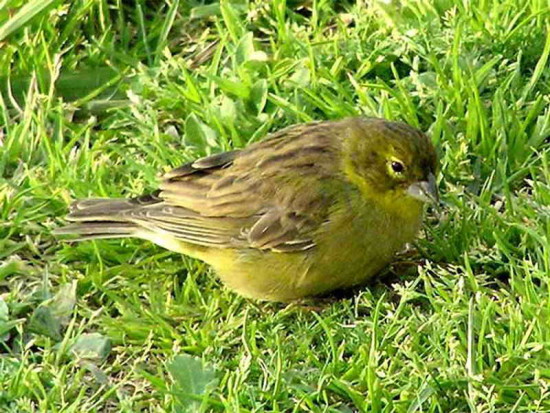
<point>390,162</point>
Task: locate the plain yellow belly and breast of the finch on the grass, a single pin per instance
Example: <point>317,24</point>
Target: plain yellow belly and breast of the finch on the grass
<point>350,249</point>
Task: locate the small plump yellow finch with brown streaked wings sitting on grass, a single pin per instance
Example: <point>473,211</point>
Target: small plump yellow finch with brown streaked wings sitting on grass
<point>310,209</point>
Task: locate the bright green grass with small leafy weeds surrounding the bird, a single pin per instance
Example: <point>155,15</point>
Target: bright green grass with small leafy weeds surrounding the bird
<point>97,97</point>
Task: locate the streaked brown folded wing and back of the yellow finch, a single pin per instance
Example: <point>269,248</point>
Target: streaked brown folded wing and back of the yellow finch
<point>272,195</point>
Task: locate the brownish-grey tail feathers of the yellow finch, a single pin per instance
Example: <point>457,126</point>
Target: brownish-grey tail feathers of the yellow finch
<point>101,218</point>
